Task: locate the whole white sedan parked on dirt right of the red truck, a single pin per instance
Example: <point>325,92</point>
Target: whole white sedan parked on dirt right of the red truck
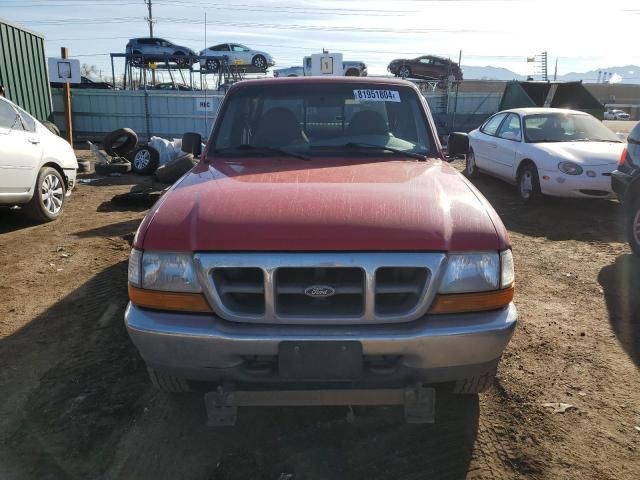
<point>546,151</point>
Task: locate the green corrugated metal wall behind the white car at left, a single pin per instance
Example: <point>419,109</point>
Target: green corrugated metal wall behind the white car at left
<point>23,69</point>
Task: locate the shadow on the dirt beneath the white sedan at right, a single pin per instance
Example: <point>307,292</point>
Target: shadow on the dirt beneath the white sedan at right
<point>555,218</point>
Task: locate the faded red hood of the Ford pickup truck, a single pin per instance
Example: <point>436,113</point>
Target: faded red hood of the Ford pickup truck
<point>281,204</point>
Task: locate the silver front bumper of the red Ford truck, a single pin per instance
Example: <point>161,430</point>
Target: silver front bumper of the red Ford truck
<point>434,348</point>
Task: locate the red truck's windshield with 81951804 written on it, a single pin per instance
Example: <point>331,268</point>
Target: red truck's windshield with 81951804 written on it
<point>324,119</point>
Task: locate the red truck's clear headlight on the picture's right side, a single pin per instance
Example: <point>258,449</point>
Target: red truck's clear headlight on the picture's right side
<point>471,272</point>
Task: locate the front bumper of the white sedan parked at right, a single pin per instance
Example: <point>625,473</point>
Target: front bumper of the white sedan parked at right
<point>593,182</point>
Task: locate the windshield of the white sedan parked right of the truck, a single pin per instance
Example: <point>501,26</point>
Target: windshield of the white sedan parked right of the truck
<point>566,127</point>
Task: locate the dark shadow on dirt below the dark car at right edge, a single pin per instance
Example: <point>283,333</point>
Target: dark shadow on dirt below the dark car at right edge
<point>621,284</point>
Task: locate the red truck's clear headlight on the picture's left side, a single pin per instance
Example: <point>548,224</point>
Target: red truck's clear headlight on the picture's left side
<point>171,272</point>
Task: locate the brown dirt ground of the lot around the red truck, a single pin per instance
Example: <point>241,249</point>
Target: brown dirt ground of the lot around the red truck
<point>75,402</point>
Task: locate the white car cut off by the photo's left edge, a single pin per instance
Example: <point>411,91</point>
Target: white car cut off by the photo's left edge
<point>37,168</point>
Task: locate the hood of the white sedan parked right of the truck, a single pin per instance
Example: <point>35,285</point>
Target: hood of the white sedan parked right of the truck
<point>588,154</point>
